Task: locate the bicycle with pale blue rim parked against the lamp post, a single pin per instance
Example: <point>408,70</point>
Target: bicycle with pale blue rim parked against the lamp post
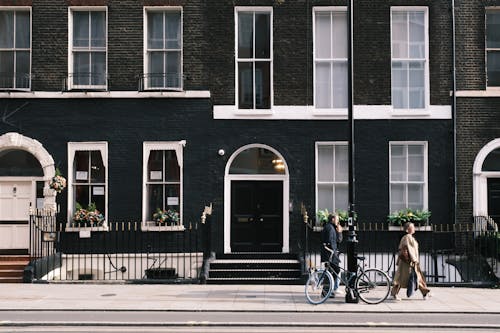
<point>372,285</point>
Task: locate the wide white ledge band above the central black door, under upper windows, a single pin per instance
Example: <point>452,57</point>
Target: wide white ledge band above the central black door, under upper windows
<point>361,112</point>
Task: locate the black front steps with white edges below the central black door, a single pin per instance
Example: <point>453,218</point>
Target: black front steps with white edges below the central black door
<point>255,268</point>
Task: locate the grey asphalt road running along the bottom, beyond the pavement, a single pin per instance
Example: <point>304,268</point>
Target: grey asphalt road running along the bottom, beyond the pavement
<point>262,322</point>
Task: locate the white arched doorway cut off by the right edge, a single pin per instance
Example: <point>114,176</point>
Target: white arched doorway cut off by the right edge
<point>486,181</point>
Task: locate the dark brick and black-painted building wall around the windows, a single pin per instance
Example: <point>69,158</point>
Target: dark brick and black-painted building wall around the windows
<point>126,122</point>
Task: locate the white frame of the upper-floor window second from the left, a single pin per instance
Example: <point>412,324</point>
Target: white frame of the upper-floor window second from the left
<point>70,78</point>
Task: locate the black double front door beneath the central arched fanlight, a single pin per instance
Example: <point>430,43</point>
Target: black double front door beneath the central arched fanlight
<point>256,216</point>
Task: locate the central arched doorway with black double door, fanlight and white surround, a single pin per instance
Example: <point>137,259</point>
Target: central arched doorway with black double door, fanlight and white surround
<point>256,192</point>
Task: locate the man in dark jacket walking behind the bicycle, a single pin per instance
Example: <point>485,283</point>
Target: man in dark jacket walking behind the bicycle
<point>330,237</point>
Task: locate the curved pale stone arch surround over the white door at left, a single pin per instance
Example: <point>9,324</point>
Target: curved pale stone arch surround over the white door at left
<point>13,140</point>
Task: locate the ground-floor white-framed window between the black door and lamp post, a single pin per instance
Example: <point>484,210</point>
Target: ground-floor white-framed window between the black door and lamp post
<point>332,173</point>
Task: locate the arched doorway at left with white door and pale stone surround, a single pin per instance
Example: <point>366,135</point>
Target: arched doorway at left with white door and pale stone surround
<point>25,170</point>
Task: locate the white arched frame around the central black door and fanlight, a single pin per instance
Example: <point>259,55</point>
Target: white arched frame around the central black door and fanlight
<point>228,178</point>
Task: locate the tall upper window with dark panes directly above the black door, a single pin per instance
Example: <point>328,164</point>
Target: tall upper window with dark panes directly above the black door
<point>254,59</point>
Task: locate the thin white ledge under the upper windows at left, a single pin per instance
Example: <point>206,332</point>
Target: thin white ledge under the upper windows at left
<point>108,94</point>
